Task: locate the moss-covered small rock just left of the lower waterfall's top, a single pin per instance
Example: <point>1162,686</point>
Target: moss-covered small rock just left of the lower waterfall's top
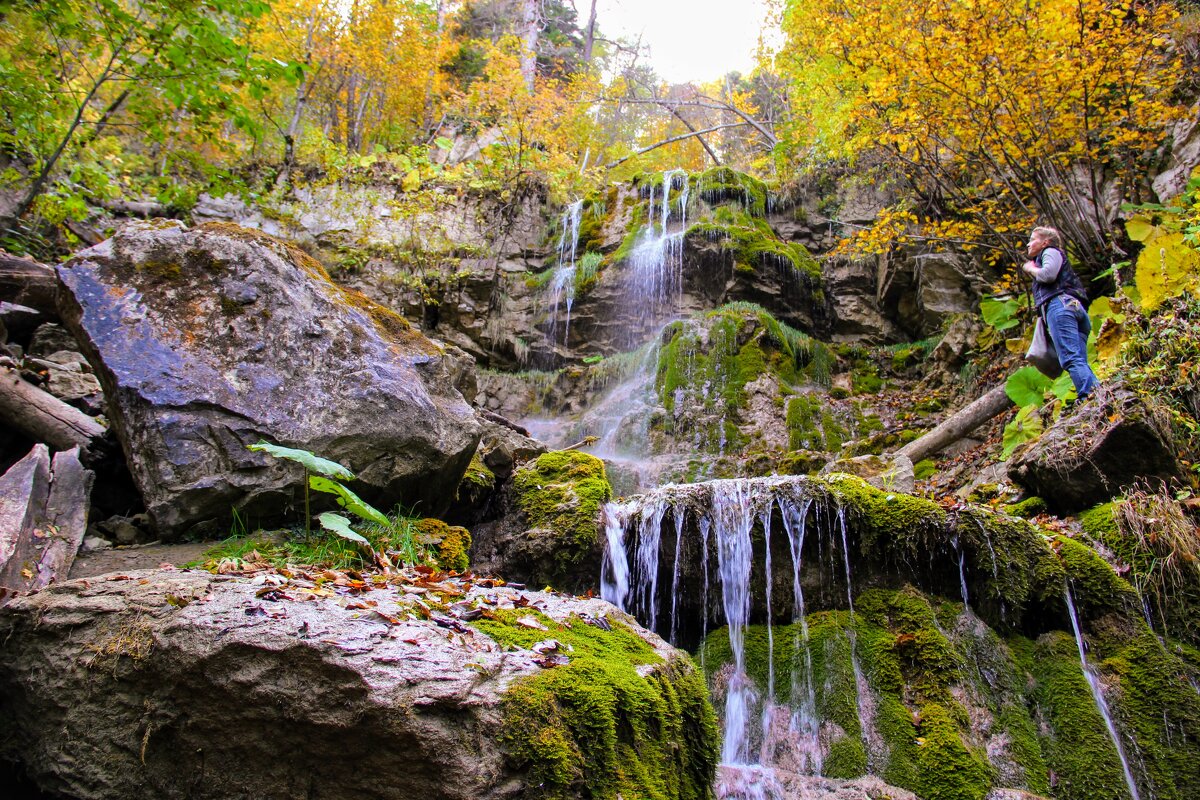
<point>561,495</point>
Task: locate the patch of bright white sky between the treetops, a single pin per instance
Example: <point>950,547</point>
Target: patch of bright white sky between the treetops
<point>689,40</point>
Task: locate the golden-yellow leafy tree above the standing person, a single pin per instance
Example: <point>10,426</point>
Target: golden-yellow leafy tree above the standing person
<point>998,116</point>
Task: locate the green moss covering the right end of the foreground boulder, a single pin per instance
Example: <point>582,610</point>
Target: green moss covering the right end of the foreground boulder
<point>597,727</point>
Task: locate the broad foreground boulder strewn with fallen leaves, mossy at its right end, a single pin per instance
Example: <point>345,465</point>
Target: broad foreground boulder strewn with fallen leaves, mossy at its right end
<point>191,685</point>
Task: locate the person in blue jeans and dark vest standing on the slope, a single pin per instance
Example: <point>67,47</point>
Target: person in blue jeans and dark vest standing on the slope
<point>1059,297</point>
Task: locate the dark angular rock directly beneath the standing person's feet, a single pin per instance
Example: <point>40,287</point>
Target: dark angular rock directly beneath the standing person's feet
<point>1107,443</point>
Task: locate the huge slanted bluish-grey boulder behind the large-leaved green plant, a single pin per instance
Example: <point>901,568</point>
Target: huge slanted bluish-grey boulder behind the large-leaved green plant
<point>212,339</point>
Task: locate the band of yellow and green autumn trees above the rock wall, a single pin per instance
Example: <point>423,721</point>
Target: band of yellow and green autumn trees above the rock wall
<point>982,117</point>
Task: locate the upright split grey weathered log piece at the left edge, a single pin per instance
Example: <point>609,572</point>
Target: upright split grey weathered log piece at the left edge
<point>44,516</point>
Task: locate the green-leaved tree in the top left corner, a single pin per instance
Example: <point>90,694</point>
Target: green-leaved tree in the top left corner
<point>101,56</point>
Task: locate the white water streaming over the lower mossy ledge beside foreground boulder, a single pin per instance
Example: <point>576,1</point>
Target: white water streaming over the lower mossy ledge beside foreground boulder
<point>757,730</point>
